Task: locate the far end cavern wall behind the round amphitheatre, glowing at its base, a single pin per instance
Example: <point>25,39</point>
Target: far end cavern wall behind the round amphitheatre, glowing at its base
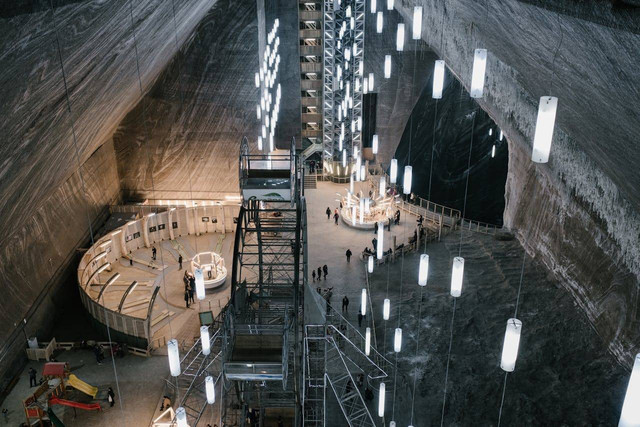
<point>182,141</point>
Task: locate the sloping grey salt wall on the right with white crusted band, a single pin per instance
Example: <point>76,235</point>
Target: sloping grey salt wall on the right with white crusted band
<point>579,213</point>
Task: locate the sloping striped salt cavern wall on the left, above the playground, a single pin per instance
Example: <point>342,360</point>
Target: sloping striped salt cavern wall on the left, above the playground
<point>43,204</point>
